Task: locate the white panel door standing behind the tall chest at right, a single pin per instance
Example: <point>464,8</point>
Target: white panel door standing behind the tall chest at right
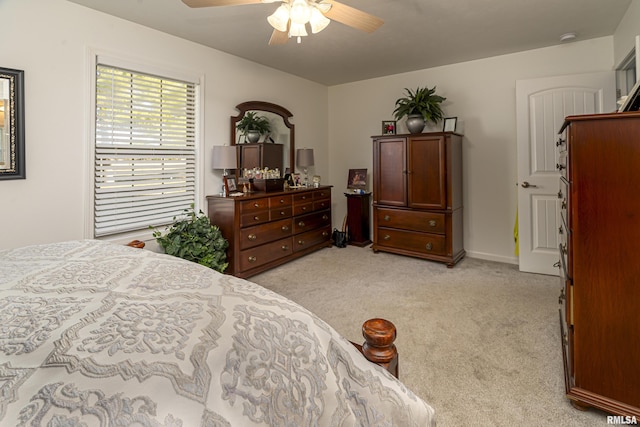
<point>541,106</point>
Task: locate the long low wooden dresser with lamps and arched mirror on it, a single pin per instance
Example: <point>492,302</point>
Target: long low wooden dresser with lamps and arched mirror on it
<point>268,229</point>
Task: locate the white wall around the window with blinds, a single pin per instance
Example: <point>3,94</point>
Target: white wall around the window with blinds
<point>51,40</point>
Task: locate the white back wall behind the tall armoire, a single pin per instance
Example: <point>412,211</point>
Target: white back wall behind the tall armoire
<point>482,95</point>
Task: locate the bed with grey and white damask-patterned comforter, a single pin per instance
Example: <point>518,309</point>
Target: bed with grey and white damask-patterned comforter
<point>94,333</point>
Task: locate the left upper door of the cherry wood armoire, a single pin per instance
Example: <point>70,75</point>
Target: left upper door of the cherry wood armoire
<point>390,172</point>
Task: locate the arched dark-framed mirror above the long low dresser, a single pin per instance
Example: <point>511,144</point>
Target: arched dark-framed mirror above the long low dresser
<point>282,130</point>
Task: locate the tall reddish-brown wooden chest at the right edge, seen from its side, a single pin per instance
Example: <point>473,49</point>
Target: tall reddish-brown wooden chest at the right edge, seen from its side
<point>599,161</point>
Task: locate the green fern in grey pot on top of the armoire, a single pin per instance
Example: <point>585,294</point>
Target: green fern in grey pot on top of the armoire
<point>421,106</point>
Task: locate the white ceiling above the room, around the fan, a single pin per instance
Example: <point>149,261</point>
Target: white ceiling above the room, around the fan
<point>416,34</point>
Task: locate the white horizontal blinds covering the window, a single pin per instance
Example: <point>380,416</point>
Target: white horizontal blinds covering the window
<point>145,151</point>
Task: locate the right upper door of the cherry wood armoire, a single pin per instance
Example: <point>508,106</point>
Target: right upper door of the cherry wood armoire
<point>426,172</point>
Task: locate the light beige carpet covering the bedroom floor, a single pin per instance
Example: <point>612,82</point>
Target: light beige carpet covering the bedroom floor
<point>479,342</point>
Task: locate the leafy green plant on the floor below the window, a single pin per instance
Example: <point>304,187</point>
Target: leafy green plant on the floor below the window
<point>193,238</point>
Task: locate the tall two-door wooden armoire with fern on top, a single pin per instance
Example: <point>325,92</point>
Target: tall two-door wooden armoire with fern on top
<point>417,196</point>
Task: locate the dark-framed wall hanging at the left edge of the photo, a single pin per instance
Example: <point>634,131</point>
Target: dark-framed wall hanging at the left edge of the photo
<point>12,124</point>
